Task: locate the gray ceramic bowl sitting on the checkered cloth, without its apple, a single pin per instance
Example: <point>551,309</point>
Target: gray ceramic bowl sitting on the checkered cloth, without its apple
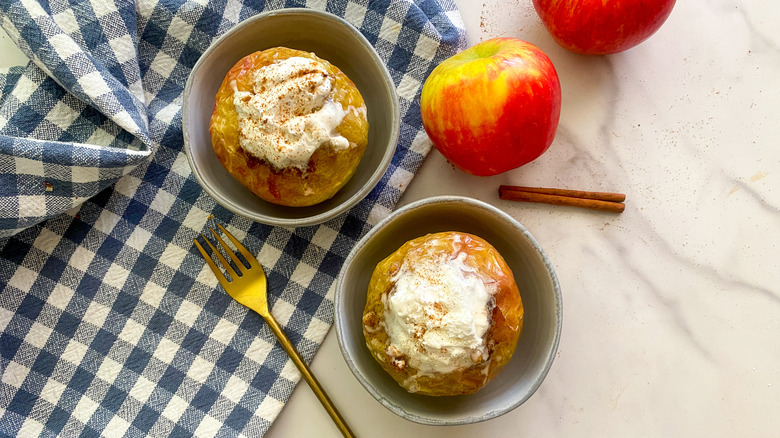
<point>331,38</point>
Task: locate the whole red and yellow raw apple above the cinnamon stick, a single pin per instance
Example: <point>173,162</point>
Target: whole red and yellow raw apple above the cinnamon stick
<point>493,107</point>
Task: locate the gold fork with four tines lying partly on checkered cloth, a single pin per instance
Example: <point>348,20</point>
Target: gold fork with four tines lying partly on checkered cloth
<point>248,287</point>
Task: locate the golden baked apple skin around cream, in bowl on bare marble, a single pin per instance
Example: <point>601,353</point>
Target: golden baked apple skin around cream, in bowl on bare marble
<point>501,338</point>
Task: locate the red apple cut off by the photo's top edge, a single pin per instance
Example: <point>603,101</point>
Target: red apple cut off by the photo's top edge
<point>601,27</point>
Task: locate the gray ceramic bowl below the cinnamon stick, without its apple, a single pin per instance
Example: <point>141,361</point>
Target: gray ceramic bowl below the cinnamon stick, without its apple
<point>535,278</point>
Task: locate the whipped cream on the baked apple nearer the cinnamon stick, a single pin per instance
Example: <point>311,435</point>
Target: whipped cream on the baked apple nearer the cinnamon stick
<point>437,313</point>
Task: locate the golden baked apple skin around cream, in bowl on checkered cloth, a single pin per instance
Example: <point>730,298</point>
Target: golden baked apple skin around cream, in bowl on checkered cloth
<point>328,169</point>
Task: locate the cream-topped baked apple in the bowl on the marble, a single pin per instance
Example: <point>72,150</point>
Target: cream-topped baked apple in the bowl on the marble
<point>443,314</point>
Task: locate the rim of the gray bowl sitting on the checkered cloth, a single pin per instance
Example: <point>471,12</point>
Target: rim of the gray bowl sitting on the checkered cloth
<point>350,202</point>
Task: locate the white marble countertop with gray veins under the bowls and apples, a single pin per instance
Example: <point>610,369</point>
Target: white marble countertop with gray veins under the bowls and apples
<point>672,308</point>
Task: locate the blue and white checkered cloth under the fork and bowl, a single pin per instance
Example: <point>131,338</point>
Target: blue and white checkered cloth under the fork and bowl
<point>110,321</point>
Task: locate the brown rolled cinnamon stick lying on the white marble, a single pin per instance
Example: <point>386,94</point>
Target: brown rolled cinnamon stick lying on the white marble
<point>602,201</point>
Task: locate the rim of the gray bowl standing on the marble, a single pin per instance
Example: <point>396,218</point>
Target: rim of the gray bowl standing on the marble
<point>341,334</point>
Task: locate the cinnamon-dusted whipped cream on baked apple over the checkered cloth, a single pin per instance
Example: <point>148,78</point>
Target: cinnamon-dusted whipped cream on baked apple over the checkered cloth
<point>289,113</point>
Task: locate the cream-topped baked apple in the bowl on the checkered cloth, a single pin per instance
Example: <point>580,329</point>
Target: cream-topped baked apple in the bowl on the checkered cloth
<point>289,126</point>
